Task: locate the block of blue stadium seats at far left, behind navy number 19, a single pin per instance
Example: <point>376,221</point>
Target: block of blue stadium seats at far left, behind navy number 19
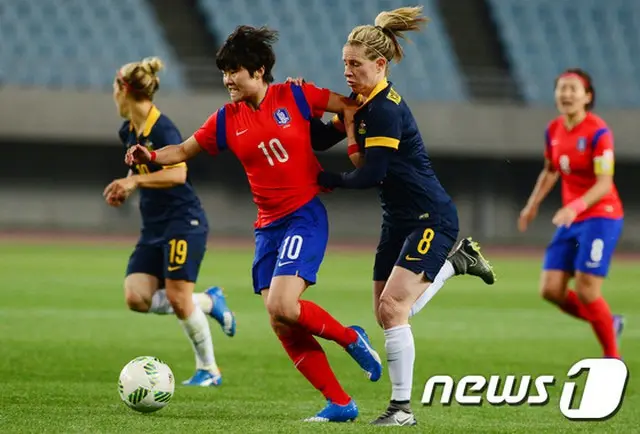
<point>79,43</point>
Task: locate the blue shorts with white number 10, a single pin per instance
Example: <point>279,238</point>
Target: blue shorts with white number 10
<point>291,246</point>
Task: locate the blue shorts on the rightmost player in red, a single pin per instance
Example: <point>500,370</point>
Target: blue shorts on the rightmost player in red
<point>586,246</point>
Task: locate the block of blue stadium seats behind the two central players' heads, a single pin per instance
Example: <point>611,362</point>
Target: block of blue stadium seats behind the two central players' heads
<point>313,32</point>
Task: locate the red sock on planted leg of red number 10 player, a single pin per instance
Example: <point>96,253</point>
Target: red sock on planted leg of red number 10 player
<point>309,358</point>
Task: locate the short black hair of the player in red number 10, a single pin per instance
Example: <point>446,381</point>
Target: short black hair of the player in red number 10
<point>250,48</point>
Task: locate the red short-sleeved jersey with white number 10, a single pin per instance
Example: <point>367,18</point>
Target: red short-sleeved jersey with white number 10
<point>273,143</point>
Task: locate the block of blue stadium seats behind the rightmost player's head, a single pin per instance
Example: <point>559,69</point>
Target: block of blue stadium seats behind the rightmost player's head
<point>544,37</point>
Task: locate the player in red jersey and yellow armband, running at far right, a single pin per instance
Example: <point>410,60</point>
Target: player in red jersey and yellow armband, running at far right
<point>579,151</point>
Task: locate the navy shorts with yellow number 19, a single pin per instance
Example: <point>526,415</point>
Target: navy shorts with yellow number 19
<point>175,257</point>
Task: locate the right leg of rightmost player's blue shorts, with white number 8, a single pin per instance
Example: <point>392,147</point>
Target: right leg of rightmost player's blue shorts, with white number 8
<point>597,242</point>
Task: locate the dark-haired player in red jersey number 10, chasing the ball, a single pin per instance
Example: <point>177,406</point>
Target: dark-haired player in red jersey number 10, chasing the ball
<point>267,127</point>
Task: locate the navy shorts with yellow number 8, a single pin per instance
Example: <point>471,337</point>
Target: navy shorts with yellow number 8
<point>421,249</point>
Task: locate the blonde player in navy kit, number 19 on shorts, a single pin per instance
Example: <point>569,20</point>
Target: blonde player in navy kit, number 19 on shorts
<point>165,263</point>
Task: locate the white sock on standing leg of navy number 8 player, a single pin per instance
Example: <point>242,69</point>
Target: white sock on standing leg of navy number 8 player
<point>401,354</point>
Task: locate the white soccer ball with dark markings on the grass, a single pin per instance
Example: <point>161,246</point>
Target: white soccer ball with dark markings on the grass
<point>146,384</point>
